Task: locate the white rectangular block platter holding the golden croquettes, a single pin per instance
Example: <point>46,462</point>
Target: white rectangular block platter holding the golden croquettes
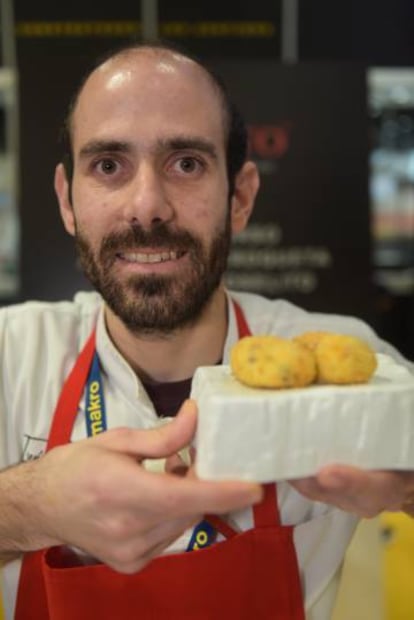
<point>268,435</point>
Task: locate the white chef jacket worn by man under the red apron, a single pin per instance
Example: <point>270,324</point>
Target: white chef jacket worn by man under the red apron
<point>39,343</point>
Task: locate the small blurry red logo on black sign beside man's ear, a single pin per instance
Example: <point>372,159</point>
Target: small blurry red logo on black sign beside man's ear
<point>269,141</point>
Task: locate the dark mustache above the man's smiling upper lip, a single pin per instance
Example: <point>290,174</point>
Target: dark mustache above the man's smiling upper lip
<point>136,236</point>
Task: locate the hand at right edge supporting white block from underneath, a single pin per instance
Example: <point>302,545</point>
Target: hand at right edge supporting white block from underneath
<point>362,492</point>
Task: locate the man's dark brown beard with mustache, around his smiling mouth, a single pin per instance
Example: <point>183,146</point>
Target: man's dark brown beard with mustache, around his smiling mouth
<point>149,304</point>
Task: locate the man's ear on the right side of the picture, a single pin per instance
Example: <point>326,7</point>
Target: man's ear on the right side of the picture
<point>247,183</point>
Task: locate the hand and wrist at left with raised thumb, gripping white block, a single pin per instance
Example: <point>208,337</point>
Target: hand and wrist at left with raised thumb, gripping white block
<point>94,494</point>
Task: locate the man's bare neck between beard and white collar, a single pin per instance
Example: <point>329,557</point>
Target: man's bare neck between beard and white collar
<point>174,357</point>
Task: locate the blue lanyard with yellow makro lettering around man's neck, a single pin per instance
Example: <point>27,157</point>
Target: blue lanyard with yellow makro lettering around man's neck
<point>95,417</point>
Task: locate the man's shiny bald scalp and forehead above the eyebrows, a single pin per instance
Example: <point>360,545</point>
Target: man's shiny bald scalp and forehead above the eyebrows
<point>132,77</point>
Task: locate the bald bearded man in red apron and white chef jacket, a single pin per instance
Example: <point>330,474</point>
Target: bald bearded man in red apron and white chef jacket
<point>155,184</point>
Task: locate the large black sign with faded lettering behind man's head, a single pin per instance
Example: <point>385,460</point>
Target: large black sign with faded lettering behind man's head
<point>309,240</point>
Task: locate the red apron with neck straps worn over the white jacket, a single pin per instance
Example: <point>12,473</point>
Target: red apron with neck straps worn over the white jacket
<point>252,575</point>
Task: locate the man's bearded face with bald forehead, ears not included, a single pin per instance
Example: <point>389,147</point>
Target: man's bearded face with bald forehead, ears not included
<point>150,191</point>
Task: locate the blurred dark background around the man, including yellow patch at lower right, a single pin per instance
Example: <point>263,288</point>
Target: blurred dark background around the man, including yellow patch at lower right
<point>327,90</point>
